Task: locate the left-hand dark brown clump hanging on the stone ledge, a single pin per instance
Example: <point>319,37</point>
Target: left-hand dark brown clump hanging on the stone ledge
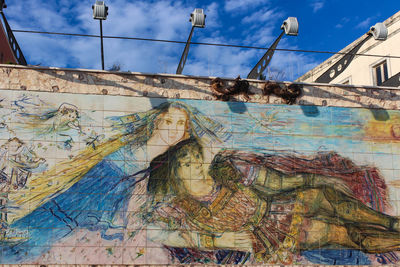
<point>220,92</point>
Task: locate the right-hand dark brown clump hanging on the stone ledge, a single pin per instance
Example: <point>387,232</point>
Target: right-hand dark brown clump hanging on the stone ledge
<point>288,93</point>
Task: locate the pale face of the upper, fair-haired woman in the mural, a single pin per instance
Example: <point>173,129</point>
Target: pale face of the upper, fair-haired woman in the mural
<point>173,126</point>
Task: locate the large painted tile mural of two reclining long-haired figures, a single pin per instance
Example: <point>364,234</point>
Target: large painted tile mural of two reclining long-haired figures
<point>123,180</point>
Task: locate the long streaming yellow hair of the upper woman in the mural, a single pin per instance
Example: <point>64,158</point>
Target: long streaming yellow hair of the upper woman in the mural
<point>132,130</point>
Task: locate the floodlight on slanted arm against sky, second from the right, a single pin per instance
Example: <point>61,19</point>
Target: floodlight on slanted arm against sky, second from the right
<point>289,27</point>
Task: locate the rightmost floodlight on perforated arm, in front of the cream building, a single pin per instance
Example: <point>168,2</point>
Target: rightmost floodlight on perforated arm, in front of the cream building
<point>378,31</point>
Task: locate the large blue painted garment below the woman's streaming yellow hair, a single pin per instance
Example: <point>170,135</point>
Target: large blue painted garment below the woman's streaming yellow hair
<point>91,203</point>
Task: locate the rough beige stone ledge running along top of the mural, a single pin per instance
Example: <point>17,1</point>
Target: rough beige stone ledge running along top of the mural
<point>156,85</point>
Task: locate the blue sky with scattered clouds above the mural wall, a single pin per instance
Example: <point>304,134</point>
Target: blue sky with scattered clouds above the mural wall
<point>324,25</point>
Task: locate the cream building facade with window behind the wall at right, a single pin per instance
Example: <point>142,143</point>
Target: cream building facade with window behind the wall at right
<point>364,70</point>
